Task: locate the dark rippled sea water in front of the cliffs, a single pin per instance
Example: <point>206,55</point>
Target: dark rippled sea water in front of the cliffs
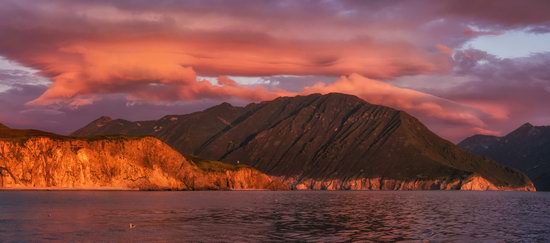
<point>251,216</point>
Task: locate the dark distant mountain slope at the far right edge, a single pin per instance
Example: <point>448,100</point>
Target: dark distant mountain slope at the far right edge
<point>526,149</point>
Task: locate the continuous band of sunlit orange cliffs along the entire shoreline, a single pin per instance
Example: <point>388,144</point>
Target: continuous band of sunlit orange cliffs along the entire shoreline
<point>32,159</point>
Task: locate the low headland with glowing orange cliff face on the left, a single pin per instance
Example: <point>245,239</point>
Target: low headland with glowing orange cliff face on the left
<point>31,159</point>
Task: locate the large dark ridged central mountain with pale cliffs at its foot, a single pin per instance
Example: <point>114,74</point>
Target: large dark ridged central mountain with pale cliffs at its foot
<point>332,141</point>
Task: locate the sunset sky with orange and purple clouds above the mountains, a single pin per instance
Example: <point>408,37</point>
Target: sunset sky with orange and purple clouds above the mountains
<point>460,67</point>
